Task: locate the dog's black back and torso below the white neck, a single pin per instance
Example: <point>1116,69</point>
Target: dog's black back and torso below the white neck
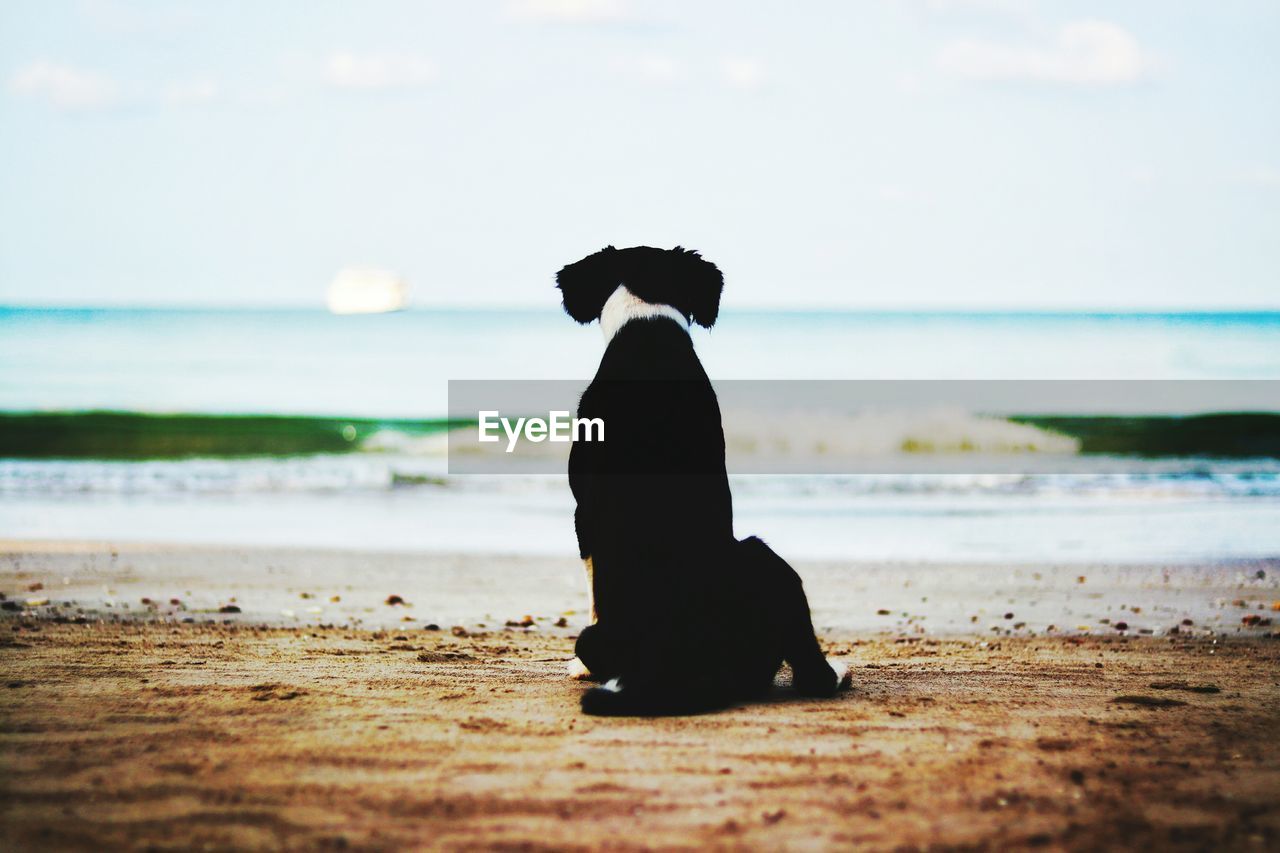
<point>656,512</point>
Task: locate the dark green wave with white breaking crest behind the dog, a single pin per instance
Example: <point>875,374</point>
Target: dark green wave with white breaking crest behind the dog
<point>748,435</point>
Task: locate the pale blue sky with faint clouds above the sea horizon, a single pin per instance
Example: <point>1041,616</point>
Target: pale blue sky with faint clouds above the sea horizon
<point>870,154</point>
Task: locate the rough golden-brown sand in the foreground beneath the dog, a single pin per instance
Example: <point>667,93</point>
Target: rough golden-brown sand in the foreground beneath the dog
<point>158,733</point>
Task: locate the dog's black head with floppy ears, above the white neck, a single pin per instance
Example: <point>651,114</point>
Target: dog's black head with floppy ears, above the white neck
<point>678,277</point>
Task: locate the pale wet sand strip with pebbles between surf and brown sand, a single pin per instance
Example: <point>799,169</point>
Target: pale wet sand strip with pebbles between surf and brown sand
<point>309,587</point>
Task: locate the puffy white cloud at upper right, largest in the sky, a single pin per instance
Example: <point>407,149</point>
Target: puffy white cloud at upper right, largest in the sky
<point>1085,53</point>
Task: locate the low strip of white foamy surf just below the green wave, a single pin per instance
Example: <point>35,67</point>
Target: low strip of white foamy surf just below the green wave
<point>381,475</point>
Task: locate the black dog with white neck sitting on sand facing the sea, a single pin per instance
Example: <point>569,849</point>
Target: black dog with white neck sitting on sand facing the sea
<point>685,618</point>
